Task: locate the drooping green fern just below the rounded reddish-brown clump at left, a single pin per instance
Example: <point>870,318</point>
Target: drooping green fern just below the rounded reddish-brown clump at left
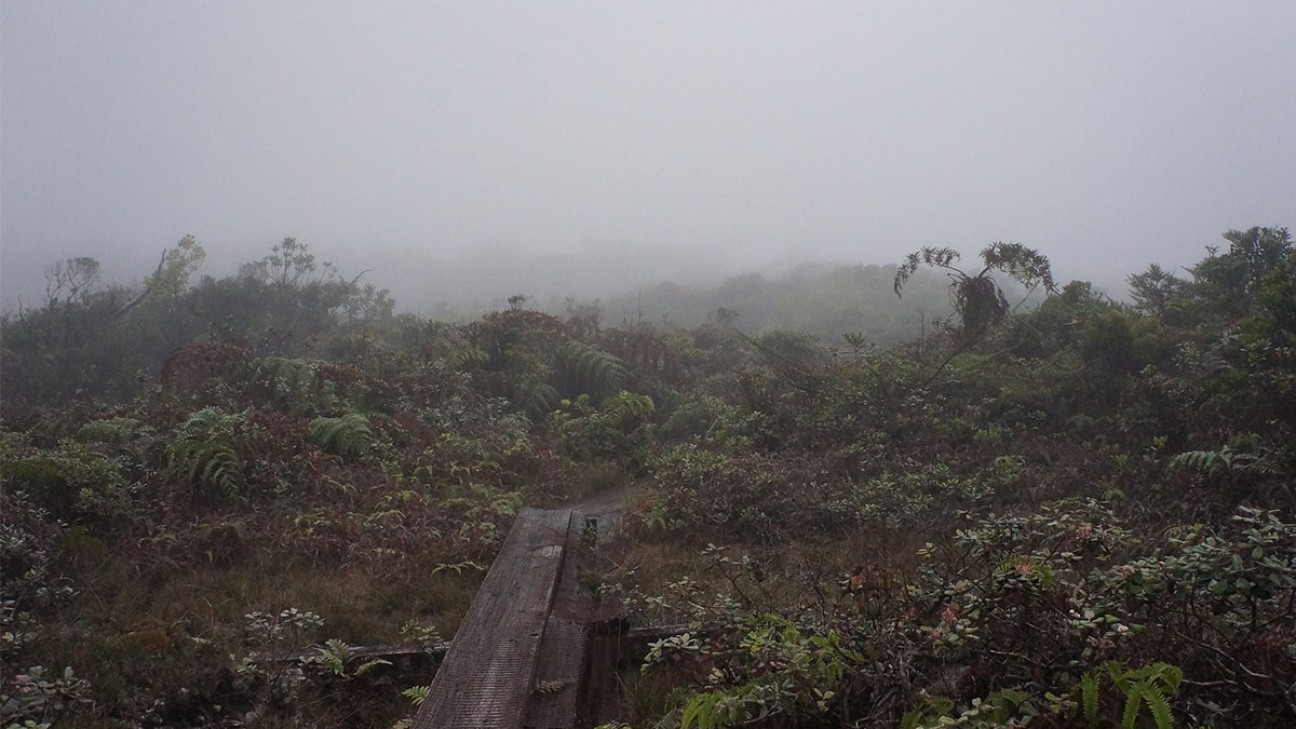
<point>204,452</point>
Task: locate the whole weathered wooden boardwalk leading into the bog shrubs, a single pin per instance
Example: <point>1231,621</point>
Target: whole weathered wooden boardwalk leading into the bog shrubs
<point>523,654</point>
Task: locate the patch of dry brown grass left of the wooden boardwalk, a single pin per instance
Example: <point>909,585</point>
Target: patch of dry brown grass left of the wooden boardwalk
<point>161,631</point>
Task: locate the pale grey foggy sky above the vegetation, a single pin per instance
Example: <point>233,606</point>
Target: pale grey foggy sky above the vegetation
<point>695,136</point>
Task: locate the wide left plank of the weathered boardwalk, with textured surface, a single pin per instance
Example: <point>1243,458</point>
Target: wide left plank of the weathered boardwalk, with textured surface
<point>489,673</point>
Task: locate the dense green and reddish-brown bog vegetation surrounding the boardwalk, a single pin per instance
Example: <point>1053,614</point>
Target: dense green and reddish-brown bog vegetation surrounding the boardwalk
<point>1075,514</point>
